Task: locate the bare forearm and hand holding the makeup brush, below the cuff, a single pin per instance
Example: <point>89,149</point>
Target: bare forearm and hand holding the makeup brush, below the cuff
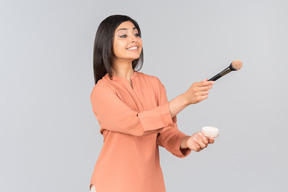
<point>196,93</point>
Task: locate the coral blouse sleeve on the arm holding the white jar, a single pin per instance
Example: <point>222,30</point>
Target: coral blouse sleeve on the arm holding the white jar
<point>170,137</point>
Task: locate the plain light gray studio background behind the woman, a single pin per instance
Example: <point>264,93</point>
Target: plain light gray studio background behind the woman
<point>50,137</point>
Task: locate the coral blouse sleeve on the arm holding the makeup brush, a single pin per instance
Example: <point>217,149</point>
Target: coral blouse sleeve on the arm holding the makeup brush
<point>115,115</point>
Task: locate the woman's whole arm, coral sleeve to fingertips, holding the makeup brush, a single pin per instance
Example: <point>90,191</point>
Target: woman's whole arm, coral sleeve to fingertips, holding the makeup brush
<point>115,115</point>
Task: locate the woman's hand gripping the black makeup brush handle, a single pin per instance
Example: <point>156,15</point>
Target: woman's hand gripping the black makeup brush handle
<point>198,91</point>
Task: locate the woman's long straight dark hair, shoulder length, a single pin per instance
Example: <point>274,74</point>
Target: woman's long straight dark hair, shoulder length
<point>103,46</point>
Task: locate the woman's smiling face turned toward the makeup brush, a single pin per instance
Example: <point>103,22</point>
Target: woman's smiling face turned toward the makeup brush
<point>127,45</point>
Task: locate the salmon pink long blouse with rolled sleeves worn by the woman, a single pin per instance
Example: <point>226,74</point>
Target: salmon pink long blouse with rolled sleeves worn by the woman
<point>134,121</point>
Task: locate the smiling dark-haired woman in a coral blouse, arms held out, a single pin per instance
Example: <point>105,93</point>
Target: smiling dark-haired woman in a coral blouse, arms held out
<point>134,114</point>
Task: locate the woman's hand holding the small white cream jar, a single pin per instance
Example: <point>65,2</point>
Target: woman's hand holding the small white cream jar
<point>197,142</point>
